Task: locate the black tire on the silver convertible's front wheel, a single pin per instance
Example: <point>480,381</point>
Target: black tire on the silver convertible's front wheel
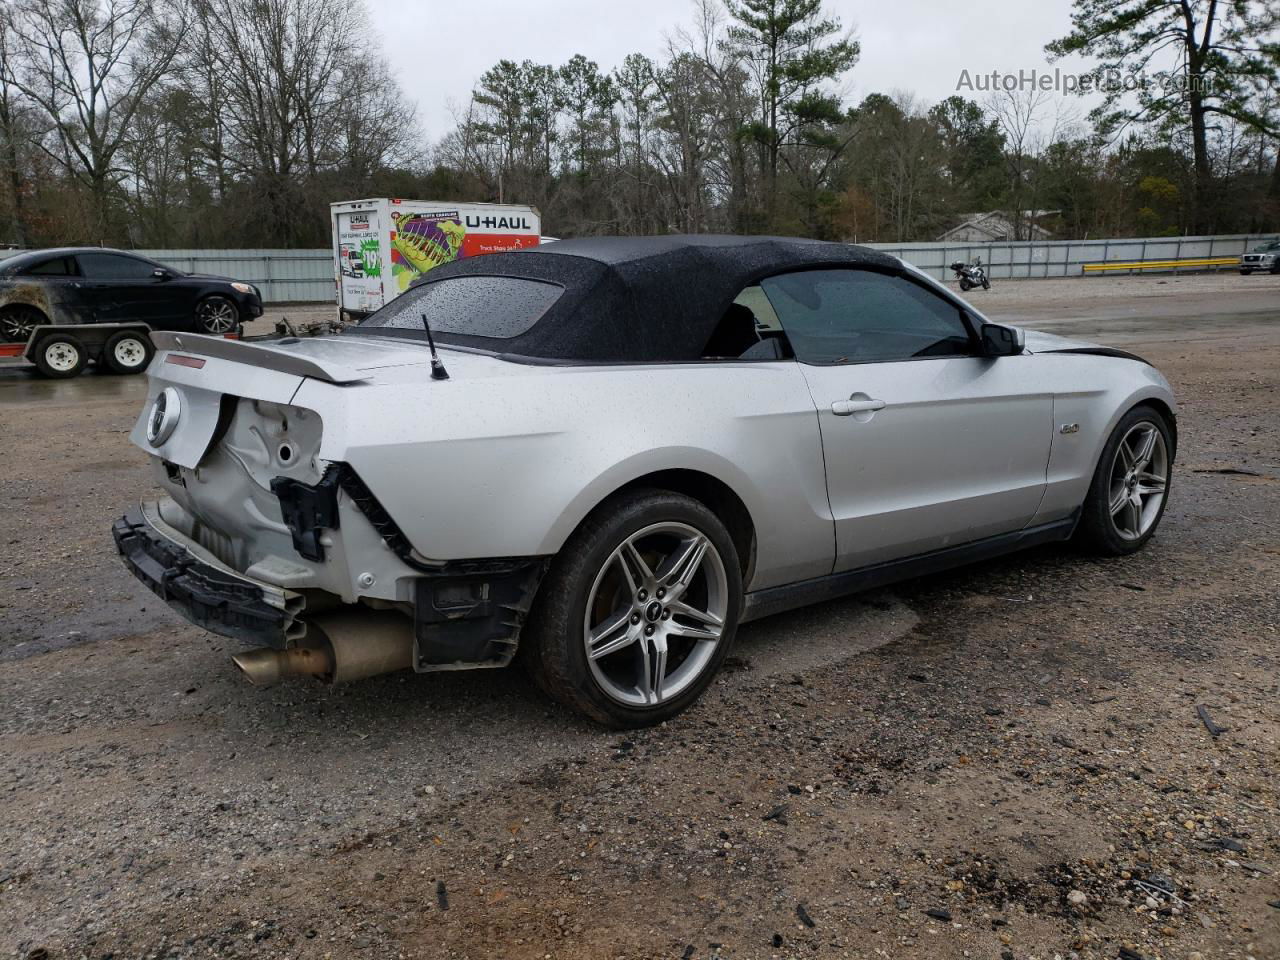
<point>1114,531</point>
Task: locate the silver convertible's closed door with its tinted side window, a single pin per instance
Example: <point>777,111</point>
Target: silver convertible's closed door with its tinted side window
<point>927,444</point>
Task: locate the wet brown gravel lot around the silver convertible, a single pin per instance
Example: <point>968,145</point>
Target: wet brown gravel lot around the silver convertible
<point>1009,761</point>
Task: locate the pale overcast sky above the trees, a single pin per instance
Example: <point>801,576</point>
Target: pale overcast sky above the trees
<point>438,51</point>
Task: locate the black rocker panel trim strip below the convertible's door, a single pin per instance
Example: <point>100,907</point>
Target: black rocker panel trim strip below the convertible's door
<point>779,600</point>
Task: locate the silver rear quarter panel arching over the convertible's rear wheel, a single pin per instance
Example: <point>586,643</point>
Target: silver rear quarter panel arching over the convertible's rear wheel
<point>491,465</point>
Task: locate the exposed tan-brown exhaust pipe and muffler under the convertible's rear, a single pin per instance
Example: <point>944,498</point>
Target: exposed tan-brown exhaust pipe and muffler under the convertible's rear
<point>339,648</point>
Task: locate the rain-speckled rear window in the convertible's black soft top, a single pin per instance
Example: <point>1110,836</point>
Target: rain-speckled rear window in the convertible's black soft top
<point>496,308</point>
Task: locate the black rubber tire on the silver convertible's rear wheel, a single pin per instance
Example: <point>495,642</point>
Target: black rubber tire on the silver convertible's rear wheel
<point>588,588</point>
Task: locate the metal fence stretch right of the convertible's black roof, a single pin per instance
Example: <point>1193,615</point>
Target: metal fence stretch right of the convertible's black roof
<point>1035,259</point>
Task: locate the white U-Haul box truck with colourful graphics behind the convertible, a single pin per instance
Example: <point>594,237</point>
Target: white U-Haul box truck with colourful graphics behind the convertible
<point>382,246</point>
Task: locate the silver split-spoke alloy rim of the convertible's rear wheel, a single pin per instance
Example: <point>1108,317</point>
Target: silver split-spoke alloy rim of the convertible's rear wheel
<point>656,615</point>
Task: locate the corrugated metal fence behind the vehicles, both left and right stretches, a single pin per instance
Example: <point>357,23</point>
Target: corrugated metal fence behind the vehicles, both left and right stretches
<point>307,276</point>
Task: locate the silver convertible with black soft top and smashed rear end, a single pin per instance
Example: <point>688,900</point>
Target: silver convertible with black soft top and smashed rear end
<point>605,455</point>
